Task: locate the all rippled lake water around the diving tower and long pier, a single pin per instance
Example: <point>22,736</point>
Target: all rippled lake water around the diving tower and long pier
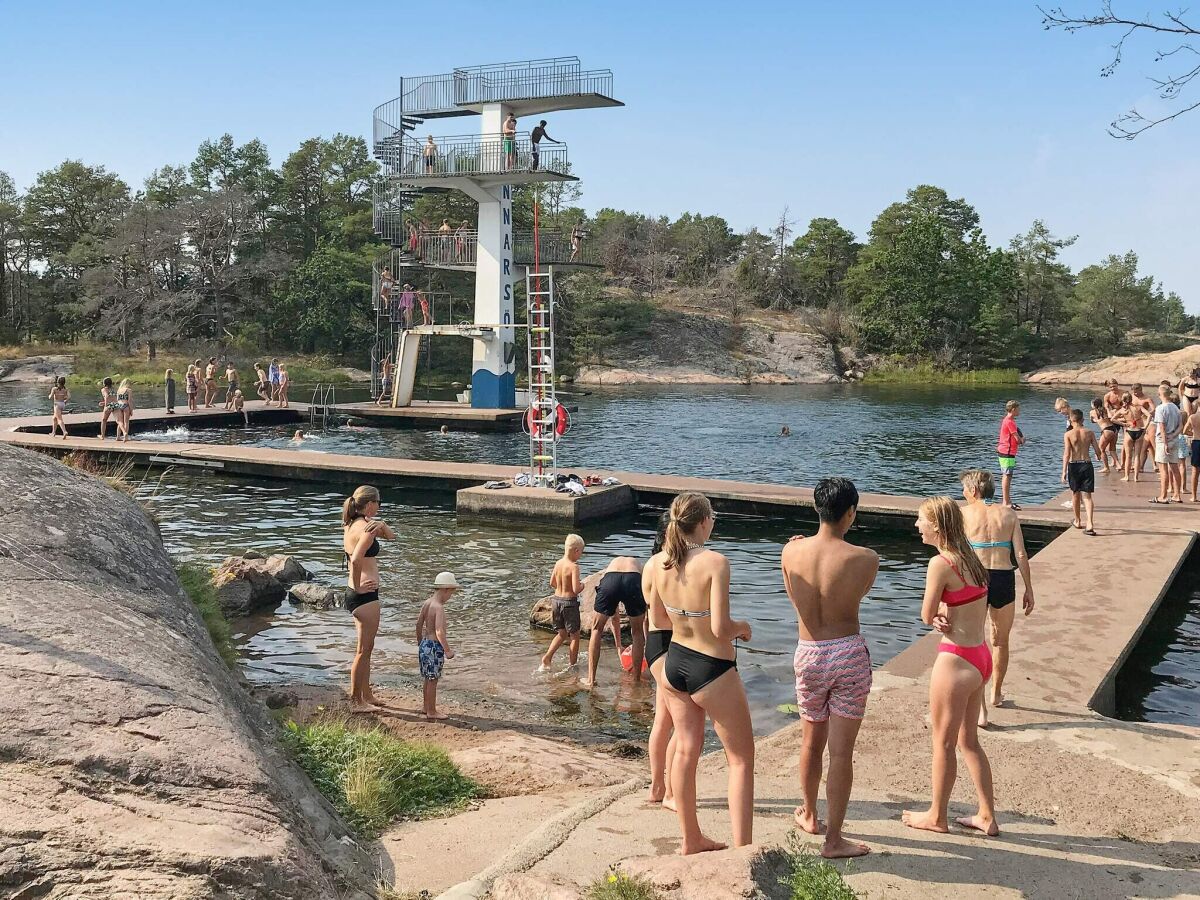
<point>898,440</point>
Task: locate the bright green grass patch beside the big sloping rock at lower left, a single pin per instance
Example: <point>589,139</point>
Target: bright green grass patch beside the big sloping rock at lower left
<point>374,778</point>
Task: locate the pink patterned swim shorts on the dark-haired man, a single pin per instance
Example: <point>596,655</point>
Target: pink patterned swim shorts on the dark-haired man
<point>833,677</point>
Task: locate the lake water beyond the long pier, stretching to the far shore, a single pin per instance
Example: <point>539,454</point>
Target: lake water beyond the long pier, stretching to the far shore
<point>898,440</point>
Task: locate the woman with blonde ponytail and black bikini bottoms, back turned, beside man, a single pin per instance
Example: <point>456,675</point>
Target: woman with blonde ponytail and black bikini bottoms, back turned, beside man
<point>689,586</point>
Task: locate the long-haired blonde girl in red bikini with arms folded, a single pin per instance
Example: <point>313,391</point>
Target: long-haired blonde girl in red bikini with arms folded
<point>957,607</point>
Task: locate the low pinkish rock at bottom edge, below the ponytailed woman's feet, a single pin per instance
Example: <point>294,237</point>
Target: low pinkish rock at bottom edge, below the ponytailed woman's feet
<point>749,873</point>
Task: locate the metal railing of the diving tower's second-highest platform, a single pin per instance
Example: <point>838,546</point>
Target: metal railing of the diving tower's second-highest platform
<point>471,155</point>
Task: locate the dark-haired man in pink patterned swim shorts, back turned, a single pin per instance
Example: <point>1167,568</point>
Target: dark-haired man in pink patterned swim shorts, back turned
<point>826,580</point>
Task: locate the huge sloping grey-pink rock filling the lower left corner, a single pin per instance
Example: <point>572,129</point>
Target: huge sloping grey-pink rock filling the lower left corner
<point>131,761</point>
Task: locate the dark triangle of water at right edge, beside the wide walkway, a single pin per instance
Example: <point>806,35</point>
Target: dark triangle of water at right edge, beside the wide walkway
<point>1161,683</point>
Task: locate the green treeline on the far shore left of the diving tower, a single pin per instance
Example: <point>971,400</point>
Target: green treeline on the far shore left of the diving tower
<point>226,249</point>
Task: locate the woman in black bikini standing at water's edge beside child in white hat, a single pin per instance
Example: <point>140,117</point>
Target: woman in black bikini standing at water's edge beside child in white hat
<point>362,531</point>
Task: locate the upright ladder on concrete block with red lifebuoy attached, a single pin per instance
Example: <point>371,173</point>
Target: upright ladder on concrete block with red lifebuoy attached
<point>541,351</point>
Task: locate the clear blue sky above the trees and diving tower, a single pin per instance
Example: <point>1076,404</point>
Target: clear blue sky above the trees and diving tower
<point>739,110</point>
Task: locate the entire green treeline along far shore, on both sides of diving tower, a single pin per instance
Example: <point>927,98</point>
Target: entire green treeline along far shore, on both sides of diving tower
<point>232,250</point>
